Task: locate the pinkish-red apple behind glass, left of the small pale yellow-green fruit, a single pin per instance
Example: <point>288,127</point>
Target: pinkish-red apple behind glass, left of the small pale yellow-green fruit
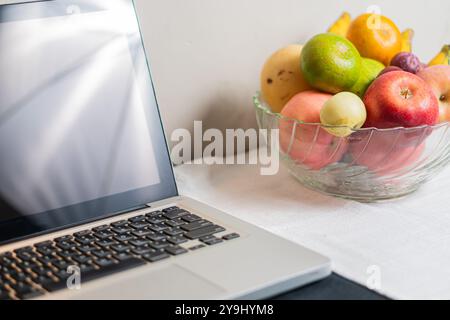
<point>308,144</point>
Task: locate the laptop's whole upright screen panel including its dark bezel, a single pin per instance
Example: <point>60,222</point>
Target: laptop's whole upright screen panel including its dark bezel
<point>80,132</point>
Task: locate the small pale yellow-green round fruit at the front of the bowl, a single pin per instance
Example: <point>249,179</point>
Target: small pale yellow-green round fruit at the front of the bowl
<point>343,113</point>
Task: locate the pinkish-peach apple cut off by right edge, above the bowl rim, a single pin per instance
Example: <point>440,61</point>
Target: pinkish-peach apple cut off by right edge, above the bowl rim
<point>438,77</point>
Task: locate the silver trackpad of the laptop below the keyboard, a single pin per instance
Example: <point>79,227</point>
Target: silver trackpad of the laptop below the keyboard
<point>171,282</point>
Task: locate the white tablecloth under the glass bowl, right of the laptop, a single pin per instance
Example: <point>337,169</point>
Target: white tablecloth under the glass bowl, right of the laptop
<point>408,240</point>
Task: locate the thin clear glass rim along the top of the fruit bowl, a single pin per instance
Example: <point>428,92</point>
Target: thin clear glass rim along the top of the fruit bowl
<point>259,104</point>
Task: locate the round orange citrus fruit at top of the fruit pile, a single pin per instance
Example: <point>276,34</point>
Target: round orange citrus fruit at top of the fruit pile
<point>376,37</point>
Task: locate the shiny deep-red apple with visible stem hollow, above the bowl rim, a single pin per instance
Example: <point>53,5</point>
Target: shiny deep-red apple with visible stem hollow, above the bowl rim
<point>400,99</point>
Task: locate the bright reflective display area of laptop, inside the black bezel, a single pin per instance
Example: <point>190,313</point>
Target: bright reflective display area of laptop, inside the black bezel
<point>72,126</point>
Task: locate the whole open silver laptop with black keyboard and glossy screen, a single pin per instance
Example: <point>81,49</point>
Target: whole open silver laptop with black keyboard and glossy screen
<point>89,207</point>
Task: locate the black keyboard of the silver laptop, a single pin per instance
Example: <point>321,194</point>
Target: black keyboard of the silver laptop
<point>32,271</point>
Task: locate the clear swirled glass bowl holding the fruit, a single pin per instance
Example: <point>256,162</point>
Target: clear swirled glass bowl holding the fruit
<point>368,165</point>
